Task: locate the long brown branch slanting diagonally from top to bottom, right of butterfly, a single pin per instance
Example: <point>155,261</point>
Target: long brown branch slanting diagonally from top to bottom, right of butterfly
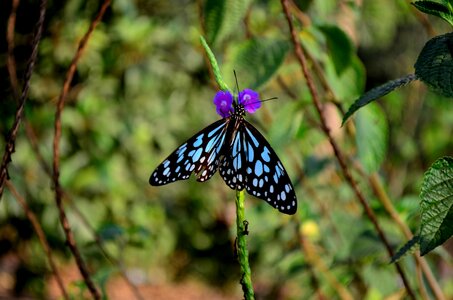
<point>338,154</point>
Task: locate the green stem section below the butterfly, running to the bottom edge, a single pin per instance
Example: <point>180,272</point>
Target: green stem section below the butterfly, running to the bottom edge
<point>243,253</point>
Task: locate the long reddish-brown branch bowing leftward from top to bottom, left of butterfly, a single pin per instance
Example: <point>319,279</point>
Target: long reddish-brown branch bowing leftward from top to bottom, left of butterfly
<point>56,155</point>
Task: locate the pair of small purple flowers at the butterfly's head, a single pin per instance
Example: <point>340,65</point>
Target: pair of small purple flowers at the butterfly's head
<point>223,101</point>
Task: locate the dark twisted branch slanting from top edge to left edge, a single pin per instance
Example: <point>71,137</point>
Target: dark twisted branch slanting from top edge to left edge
<point>11,142</point>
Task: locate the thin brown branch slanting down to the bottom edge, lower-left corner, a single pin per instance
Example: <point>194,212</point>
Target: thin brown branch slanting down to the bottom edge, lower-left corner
<point>41,235</point>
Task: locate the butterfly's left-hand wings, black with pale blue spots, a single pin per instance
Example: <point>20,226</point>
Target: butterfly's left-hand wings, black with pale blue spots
<point>200,154</point>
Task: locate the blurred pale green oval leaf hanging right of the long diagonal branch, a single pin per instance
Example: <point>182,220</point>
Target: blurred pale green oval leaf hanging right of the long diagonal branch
<point>371,137</point>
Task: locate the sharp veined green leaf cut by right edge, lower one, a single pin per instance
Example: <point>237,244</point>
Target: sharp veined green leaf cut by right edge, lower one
<point>436,205</point>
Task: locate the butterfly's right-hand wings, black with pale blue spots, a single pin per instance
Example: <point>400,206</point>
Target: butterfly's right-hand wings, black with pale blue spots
<point>251,163</point>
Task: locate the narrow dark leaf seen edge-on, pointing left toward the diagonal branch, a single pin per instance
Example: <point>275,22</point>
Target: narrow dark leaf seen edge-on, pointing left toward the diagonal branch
<point>377,93</point>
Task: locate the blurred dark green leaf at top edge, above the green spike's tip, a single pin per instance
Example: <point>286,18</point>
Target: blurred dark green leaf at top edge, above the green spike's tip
<point>213,18</point>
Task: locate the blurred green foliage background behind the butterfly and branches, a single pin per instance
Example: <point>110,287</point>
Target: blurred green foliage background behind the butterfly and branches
<point>144,86</point>
